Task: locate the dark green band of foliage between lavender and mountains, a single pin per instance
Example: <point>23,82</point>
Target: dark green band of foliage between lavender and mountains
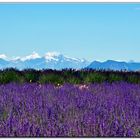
<point>67,76</point>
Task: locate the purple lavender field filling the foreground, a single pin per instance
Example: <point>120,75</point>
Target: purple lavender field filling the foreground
<point>93,110</point>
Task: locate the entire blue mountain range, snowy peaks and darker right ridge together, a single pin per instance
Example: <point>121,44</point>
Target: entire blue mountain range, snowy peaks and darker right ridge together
<point>53,60</point>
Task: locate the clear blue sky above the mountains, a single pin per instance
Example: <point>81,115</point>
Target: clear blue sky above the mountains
<point>91,31</point>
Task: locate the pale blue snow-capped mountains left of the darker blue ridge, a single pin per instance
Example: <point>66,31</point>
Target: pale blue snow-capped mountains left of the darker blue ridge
<point>50,60</point>
